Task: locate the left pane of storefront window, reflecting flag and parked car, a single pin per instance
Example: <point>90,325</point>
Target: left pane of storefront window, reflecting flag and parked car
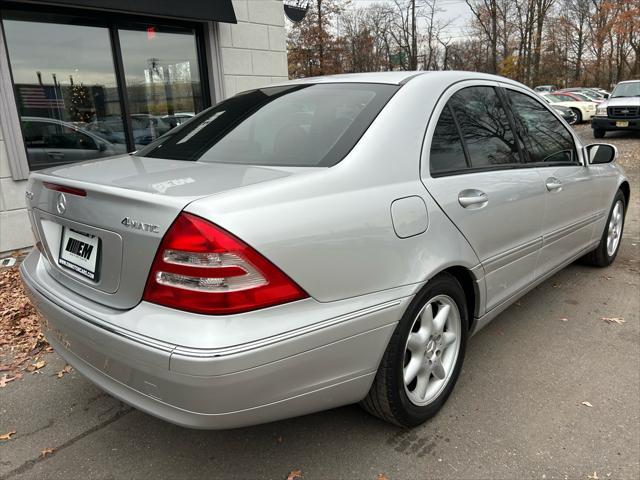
<point>66,89</point>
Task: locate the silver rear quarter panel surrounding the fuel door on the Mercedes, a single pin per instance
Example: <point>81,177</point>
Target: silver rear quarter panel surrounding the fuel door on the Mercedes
<point>331,230</point>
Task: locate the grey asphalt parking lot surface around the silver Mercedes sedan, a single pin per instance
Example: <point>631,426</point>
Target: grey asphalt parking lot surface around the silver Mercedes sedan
<point>550,389</point>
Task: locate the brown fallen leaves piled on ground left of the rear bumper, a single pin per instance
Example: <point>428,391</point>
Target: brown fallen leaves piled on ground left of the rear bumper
<point>21,340</point>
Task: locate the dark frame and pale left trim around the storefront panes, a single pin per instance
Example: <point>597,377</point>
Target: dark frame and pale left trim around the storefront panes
<point>10,124</point>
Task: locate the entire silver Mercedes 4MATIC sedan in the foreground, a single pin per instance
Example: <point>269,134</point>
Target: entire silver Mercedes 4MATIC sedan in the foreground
<point>314,244</point>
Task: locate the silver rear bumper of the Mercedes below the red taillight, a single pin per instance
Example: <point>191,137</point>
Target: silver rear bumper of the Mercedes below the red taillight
<point>211,388</point>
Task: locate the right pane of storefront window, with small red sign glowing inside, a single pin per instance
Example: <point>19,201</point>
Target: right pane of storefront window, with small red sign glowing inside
<point>163,80</point>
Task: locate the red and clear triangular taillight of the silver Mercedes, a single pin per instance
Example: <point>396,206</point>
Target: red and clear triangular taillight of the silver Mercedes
<point>202,268</point>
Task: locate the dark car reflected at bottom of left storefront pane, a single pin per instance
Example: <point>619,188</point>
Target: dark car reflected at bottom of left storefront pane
<point>53,142</point>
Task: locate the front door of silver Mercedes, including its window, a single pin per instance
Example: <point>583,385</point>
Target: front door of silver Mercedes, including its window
<point>572,206</point>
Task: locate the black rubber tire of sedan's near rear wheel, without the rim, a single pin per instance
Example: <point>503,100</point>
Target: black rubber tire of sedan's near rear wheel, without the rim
<point>387,398</point>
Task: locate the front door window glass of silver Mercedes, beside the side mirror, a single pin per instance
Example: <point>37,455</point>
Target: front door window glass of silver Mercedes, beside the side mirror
<point>545,138</point>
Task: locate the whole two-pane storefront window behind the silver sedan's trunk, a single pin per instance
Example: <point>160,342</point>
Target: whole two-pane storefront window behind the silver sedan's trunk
<point>74,76</point>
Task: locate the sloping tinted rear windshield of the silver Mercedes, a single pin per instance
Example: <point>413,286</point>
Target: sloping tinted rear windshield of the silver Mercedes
<point>311,125</point>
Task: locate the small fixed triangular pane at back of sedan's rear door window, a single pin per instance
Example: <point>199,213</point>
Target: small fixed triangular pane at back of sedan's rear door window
<point>447,153</point>
